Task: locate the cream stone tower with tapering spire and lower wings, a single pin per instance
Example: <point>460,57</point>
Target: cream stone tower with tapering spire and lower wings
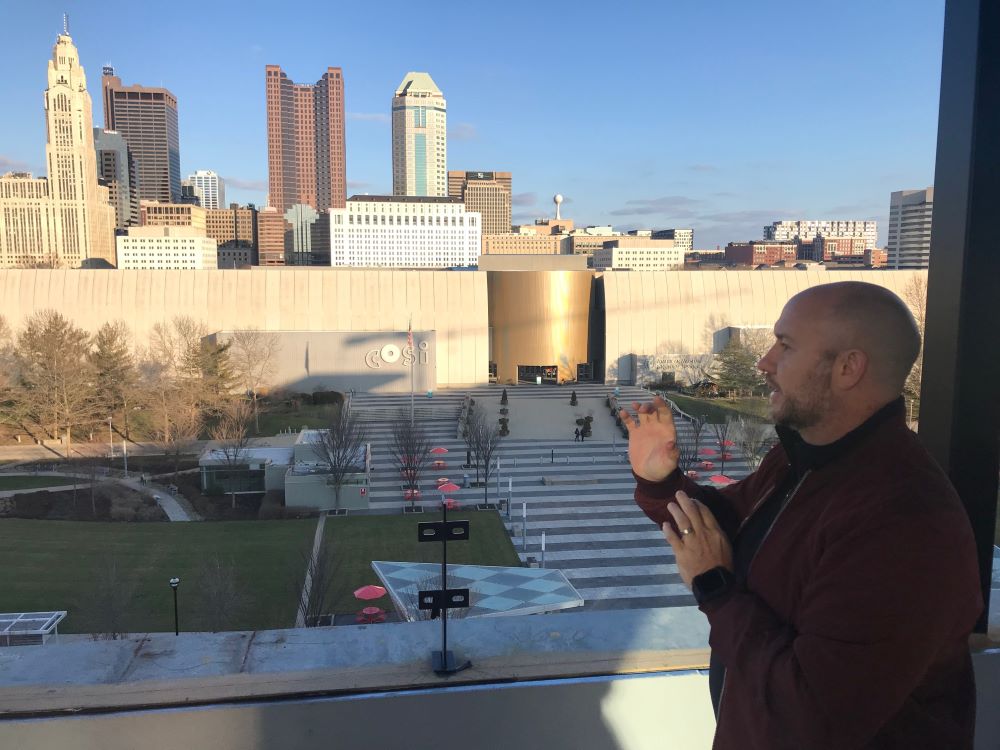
<point>67,219</point>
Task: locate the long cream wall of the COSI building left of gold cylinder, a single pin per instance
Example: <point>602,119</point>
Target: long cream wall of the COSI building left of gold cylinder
<point>453,305</point>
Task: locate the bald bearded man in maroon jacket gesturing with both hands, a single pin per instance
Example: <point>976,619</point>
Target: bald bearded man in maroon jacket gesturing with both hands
<point>840,578</point>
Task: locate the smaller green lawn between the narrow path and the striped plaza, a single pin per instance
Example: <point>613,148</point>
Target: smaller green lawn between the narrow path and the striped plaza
<point>357,540</point>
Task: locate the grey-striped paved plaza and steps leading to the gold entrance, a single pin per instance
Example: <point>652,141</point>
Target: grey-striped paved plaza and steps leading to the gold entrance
<point>594,532</point>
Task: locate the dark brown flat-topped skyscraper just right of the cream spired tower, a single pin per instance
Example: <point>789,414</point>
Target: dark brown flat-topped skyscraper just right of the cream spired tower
<point>147,119</point>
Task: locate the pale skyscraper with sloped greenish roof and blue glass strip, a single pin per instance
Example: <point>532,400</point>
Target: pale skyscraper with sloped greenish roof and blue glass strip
<point>419,138</point>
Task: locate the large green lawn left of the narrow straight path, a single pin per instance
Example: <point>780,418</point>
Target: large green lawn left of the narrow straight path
<point>51,565</point>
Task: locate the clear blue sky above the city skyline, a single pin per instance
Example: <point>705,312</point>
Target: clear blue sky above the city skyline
<point>719,115</point>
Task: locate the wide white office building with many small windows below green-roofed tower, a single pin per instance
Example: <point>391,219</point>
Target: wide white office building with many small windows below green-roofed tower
<point>391,231</point>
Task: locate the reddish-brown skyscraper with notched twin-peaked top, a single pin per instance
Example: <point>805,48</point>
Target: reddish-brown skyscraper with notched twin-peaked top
<point>306,163</point>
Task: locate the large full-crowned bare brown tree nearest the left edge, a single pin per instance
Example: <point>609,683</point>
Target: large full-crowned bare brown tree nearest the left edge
<point>55,376</point>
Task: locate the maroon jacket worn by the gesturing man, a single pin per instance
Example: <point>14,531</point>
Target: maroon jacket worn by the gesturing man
<point>851,629</point>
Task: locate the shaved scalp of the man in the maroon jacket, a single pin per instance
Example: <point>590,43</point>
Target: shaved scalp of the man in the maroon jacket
<point>870,318</point>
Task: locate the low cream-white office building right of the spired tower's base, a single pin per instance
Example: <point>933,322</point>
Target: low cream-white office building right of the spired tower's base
<point>166,248</point>
